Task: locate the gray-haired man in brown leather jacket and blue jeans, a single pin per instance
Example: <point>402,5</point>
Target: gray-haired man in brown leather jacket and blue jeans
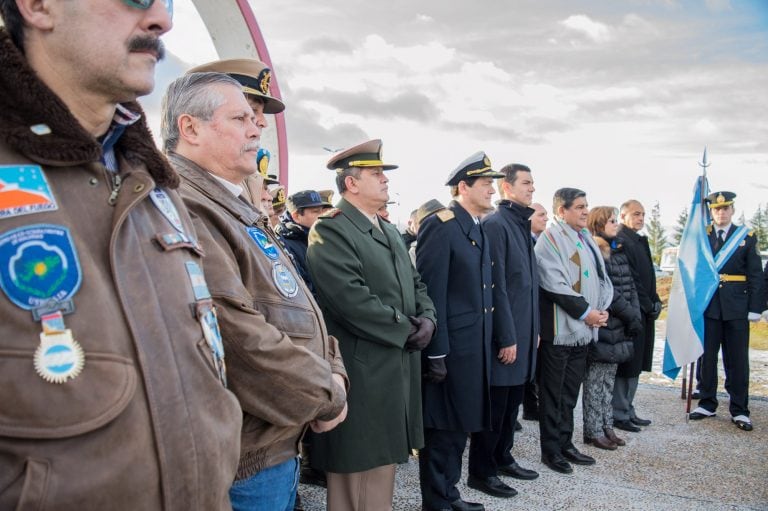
<point>281,362</point>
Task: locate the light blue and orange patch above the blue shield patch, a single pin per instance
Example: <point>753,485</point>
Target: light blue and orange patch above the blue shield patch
<point>24,190</point>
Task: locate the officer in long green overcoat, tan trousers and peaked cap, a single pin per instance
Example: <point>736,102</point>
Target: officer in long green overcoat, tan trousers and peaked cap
<point>376,305</point>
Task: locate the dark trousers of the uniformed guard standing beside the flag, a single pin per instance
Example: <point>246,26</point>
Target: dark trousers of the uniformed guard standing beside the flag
<point>733,336</point>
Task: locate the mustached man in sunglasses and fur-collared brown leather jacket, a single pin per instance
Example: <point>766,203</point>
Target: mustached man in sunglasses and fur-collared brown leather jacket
<point>112,379</point>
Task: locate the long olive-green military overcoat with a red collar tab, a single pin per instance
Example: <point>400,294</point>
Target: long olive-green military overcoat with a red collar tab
<point>367,288</point>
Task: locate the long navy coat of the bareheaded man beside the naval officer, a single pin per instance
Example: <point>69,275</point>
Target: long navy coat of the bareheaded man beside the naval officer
<point>515,291</point>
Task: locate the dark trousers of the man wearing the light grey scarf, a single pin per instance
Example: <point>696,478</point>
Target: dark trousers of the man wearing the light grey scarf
<point>562,372</point>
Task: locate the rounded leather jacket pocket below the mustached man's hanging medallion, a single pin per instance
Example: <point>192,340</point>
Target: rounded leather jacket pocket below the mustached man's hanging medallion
<point>35,409</point>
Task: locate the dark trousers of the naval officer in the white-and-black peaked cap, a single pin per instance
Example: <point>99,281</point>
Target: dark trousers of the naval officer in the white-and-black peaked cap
<point>440,467</point>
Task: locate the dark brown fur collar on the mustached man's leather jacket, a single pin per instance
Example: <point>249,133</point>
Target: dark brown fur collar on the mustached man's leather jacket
<point>26,101</point>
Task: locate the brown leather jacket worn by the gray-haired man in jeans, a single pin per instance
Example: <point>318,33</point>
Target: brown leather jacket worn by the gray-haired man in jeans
<point>279,354</point>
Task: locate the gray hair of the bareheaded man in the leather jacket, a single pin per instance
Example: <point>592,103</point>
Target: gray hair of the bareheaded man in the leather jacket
<point>193,94</point>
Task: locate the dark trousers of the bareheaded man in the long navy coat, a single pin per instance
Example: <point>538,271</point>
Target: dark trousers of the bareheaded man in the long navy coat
<point>490,450</point>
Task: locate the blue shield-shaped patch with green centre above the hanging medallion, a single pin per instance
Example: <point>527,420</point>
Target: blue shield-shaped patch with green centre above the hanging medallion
<point>39,265</point>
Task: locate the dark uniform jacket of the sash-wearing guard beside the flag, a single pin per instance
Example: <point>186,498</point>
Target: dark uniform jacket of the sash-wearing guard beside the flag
<point>735,300</point>
